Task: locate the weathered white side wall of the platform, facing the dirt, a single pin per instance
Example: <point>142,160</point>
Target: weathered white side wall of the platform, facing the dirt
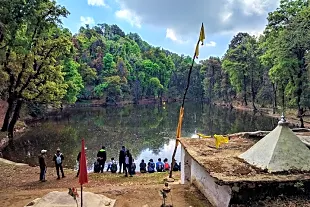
<point>192,172</point>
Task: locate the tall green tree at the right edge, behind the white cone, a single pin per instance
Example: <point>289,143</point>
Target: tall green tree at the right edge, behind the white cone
<point>288,38</point>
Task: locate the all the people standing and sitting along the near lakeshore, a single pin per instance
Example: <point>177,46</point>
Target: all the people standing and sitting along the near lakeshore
<point>126,164</point>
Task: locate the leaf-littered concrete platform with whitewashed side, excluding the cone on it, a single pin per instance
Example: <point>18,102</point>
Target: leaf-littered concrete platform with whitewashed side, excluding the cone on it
<point>226,179</point>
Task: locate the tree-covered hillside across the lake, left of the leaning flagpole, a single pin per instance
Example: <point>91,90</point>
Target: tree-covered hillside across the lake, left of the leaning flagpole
<point>116,66</point>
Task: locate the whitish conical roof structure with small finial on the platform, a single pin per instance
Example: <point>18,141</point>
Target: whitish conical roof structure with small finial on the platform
<point>280,150</point>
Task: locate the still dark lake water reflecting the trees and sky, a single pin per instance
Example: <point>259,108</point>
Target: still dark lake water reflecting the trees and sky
<point>147,130</point>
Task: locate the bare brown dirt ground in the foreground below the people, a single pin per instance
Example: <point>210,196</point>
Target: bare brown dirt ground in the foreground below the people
<point>20,185</point>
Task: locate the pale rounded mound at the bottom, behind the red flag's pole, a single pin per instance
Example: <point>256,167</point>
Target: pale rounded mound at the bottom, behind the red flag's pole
<point>56,199</point>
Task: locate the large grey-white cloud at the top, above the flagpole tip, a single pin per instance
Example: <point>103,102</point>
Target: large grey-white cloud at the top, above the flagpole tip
<point>184,17</point>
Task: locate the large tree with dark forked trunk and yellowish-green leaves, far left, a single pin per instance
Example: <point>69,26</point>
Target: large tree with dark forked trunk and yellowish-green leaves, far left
<point>29,55</point>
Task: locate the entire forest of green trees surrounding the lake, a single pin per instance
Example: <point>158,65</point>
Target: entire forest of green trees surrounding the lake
<point>44,64</point>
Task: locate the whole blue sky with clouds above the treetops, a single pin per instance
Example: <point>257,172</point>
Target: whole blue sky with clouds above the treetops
<point>175,24</point>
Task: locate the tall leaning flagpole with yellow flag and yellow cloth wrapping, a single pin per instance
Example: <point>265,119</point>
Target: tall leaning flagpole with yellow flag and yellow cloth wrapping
<point>183,101</point>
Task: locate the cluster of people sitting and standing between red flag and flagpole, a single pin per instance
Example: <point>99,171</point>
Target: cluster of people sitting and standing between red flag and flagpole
<point>127,163</point>
